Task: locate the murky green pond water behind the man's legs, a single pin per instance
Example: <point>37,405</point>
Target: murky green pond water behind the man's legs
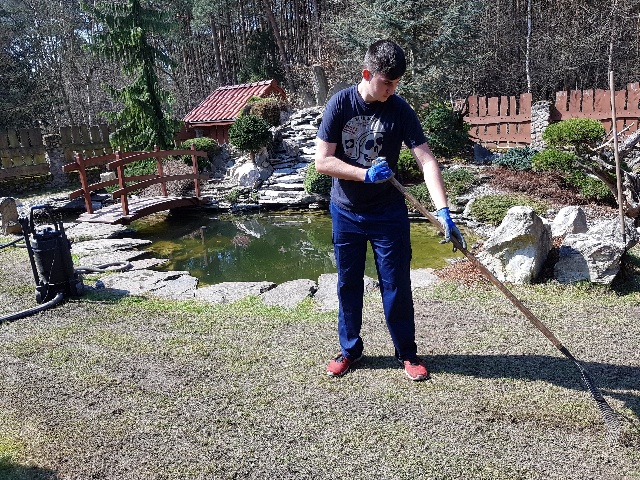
<point>272,246</point>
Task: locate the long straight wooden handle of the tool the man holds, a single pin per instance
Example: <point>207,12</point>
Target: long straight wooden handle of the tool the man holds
<point>484,270</point>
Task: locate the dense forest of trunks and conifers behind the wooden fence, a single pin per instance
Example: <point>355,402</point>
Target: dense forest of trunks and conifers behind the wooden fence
<point>49,77</point>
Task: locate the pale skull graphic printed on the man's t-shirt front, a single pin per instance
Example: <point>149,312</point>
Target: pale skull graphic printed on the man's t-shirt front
<point>362,139</point>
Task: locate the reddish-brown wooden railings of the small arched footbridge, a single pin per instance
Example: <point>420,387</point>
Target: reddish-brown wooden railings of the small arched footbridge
<point>117,161</point>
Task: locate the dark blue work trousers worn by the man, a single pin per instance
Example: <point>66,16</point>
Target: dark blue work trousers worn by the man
<point>388,232</point>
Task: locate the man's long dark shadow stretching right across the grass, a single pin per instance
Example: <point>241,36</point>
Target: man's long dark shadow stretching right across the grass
<point>616,381</point>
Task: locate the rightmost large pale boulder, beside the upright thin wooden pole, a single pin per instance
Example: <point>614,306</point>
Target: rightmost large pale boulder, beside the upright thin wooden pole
<point>594,255</point>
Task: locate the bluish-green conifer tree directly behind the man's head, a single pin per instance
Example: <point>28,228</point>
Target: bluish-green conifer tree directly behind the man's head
<point>435,36</point>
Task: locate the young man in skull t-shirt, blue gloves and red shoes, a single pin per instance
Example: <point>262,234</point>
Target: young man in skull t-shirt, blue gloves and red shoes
<point>360,124</point>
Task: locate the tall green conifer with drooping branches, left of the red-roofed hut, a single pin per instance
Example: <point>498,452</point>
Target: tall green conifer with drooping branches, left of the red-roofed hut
<point>125,34</point>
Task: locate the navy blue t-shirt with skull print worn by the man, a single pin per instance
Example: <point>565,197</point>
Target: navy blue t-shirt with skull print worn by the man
<point>362,132</point>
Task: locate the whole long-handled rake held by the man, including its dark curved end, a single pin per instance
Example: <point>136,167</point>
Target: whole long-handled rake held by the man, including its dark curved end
<point>609,416</point>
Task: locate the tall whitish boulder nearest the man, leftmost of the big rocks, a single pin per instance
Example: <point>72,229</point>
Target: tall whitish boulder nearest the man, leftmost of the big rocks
<point>518,248</point>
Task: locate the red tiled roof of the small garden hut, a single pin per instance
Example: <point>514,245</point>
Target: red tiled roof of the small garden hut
<point>225,103</point>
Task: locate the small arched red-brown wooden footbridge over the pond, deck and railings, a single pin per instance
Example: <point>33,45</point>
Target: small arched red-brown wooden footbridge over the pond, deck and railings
<point>129,209</point>
